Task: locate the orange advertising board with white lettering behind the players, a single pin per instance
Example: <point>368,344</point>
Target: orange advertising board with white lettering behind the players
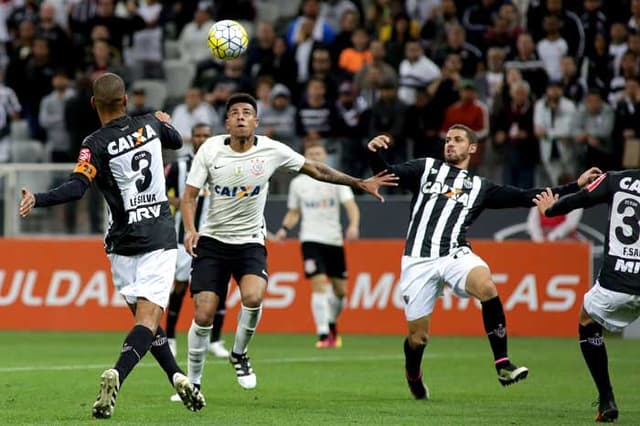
<point>65,284</point>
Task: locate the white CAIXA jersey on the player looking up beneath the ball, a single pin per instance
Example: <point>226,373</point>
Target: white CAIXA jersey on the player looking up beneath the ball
<point>239,183</point>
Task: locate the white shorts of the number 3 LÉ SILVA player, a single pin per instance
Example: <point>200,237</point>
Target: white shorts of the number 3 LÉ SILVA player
<point>148,275</point>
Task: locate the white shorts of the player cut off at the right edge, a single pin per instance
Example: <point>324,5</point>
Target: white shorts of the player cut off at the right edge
<point>611,309</point>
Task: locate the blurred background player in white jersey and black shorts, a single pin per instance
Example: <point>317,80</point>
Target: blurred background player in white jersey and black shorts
<point>318,203</point>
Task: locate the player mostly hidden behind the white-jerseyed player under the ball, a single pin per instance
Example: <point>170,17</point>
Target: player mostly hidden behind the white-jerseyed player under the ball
<point>176,180</point>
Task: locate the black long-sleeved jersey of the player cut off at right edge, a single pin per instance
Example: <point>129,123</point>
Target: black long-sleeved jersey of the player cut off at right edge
<point>621,191</point>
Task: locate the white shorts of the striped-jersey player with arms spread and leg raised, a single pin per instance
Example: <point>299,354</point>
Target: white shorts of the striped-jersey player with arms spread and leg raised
<point>423,279</point>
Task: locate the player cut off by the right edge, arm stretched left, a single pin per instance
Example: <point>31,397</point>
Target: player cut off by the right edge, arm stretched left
<point>613,302</point>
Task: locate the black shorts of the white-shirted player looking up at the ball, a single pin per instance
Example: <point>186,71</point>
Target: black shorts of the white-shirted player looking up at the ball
<point>217,262</point>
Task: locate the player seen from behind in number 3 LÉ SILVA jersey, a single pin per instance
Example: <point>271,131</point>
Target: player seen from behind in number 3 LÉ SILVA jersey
<point>124,159</point>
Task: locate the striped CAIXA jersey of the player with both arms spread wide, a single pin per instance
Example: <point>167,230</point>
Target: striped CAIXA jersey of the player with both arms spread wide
<point>446,200</point>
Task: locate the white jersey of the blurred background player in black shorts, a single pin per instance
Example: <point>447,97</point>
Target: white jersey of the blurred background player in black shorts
<point>319,204</point>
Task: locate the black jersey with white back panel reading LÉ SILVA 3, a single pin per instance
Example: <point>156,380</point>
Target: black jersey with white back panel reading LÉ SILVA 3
<point>124,158</point>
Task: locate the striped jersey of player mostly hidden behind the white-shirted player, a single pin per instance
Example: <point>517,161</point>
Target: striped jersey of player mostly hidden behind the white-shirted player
<point>177,173</point>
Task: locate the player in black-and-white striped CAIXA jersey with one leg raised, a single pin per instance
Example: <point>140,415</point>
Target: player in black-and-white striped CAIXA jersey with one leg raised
<point>446,200</point>
